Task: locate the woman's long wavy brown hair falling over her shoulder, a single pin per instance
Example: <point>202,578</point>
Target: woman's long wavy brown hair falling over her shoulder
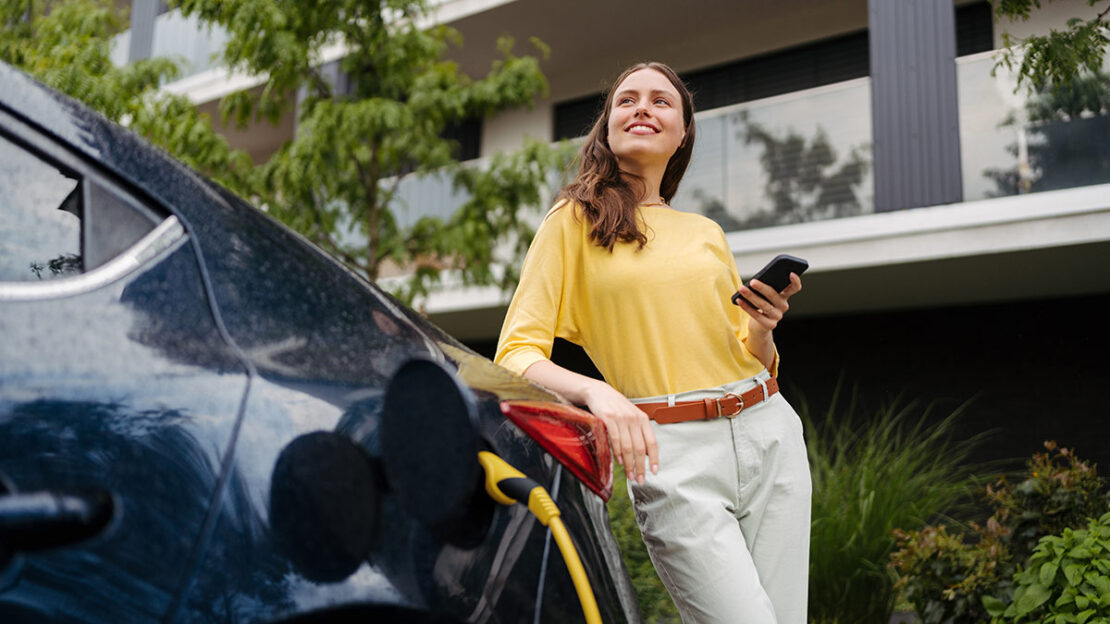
<point>609,199</point>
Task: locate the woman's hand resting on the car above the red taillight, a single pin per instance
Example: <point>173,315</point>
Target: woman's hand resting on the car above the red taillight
<point>631,434</point>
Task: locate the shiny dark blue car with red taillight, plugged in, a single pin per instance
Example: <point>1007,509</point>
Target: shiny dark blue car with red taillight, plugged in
<point>206,419</point>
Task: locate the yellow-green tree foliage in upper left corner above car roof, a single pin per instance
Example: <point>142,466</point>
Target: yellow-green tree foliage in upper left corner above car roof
<point>67,45</point>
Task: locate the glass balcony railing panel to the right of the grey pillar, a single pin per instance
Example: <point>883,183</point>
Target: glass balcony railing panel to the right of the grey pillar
<point>1014,144</point>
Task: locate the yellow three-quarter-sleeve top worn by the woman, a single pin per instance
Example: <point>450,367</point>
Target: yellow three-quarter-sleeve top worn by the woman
<point>655,321</point>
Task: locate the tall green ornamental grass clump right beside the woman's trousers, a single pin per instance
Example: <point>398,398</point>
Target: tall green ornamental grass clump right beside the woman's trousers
<point>874,471</point>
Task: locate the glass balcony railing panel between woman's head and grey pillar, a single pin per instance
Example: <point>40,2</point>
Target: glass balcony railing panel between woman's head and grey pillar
<point>793,158</point>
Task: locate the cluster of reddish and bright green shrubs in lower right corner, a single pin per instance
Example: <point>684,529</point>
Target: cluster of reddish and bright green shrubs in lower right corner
<point>1041,557</point>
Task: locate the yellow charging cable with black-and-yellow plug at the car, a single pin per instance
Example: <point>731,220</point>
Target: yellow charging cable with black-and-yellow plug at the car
<point>508,486</point>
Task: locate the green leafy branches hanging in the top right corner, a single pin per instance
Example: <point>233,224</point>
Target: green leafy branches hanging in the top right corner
<point>1062,56</point>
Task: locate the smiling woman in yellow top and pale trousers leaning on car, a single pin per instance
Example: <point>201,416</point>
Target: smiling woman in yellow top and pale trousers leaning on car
<point>723,504</point>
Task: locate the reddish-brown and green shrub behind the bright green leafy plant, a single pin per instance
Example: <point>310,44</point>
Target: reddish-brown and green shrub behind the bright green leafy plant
<point>955,575</point>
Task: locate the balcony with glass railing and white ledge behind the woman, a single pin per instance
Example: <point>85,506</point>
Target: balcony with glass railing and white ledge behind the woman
<point>793,174</point>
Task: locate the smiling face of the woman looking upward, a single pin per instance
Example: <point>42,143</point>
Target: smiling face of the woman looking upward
<point>645,122</point>
